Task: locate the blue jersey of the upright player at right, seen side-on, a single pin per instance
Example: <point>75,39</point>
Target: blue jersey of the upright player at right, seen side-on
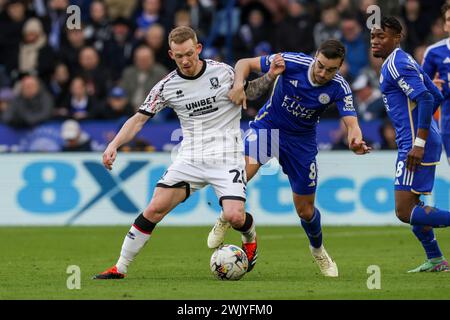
<point>402,80</point>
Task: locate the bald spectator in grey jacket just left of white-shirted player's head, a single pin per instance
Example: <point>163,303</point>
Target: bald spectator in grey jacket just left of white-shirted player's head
<point>142,75</point>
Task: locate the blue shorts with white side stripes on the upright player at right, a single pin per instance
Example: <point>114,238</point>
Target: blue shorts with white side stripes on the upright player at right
<point>420,181</point>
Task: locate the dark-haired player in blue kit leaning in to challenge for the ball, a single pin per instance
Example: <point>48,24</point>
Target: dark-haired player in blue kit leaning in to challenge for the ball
<point>306,87</point>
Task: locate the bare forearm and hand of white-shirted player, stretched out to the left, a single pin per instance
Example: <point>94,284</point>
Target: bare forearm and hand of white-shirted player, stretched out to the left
<point>130,128</point>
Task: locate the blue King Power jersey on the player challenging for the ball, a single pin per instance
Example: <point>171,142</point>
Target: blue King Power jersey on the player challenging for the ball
<point>296,102</point>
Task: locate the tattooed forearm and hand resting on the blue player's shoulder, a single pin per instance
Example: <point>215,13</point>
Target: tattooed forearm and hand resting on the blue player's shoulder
<point>256,88</point>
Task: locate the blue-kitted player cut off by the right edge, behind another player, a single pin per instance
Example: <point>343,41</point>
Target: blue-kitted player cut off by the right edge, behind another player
<point>436,64</point>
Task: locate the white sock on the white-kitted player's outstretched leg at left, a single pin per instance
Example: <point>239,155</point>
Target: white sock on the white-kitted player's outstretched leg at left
<point>133,243</point>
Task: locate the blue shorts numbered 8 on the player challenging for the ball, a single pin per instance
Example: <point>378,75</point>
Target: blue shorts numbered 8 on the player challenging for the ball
<point>296,155</point>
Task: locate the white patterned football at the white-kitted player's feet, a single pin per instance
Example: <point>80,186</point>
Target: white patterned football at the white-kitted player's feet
<point>229,262</point>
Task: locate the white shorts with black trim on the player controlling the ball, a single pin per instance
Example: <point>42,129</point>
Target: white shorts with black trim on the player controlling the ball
<point>229,181</point>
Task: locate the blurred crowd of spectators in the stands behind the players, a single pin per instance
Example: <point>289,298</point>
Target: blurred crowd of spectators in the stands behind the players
<point>105,69</point>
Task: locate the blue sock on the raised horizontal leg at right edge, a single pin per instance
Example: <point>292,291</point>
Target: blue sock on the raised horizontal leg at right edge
<point>429,216</point>
